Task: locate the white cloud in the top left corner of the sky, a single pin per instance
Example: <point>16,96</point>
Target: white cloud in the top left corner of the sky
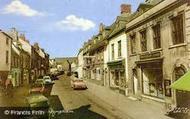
<point>19,8</point>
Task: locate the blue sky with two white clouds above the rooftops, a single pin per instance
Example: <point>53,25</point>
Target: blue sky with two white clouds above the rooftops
<point>60,26</point>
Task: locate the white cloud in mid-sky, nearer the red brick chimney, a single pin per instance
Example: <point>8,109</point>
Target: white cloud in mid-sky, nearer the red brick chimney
<point>73,23</point>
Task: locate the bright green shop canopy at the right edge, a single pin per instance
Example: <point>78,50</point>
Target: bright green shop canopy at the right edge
<point>183,83</point>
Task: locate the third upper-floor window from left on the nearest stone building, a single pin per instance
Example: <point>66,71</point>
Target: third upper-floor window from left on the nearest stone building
<point>156,36</point>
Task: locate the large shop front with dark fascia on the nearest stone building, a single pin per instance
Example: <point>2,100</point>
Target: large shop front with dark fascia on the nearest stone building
<point>152,78</point>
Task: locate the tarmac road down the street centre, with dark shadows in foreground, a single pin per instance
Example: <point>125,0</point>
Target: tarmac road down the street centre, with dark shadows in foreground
<point>81,104</point>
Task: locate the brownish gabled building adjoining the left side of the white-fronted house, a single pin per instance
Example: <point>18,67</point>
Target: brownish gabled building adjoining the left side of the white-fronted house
<point>97,49</point>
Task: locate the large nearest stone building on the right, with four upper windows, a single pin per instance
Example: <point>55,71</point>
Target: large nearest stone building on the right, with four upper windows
<point>158,50</point>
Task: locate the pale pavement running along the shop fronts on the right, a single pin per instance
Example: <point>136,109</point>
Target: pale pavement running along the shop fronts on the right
<point>134,108</point>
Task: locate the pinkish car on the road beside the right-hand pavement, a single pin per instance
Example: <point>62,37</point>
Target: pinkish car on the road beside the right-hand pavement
<point>78,84</point>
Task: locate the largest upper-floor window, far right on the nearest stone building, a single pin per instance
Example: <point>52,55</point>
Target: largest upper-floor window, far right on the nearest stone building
<point>177,29</point>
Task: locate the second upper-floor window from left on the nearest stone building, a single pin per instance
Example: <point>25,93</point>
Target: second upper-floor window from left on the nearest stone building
<point>143,41</point>
